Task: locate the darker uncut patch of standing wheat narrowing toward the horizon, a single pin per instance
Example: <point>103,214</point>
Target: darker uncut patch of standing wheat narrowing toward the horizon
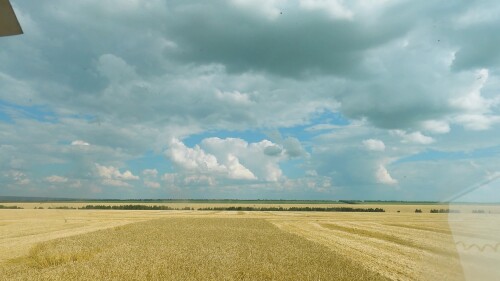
<point>185,249</point>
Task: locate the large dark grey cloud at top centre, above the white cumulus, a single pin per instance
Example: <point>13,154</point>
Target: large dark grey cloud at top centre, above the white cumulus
<point>334,47</point>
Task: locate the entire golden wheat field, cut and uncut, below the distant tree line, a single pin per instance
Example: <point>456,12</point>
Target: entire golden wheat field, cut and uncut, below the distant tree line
<point>53,244</point>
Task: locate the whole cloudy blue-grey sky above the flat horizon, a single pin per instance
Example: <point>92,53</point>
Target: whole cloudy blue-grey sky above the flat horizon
<point>251,99</point>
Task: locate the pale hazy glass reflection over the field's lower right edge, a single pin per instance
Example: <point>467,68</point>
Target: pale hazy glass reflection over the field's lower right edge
<point>475,227</point>
